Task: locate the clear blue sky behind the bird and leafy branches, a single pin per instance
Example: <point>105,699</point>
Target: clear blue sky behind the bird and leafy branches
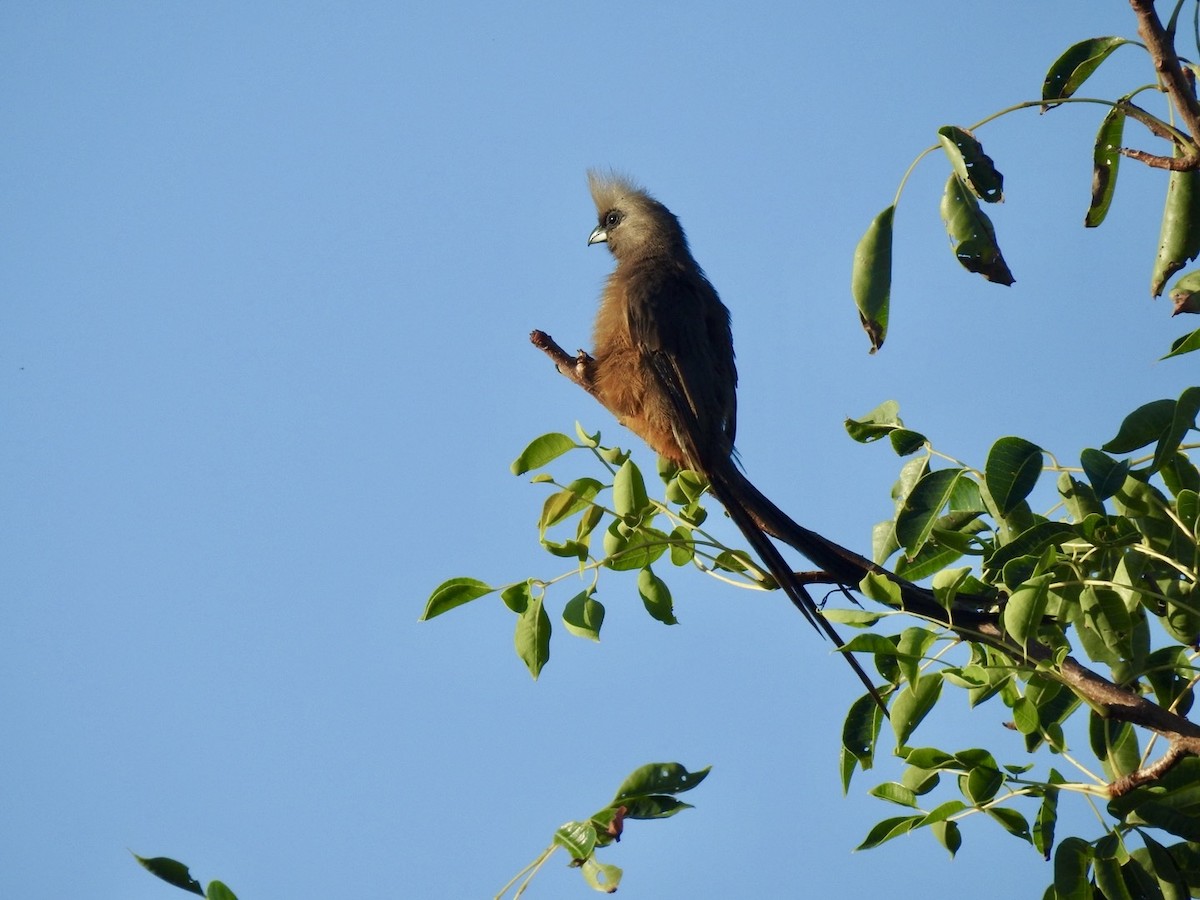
<point>269,277</point>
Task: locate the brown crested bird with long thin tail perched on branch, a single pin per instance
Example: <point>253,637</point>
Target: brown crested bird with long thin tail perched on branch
<point>663,363</point>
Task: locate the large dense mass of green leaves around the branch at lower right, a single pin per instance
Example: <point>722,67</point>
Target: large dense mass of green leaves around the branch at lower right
<point>1108,574</point>
